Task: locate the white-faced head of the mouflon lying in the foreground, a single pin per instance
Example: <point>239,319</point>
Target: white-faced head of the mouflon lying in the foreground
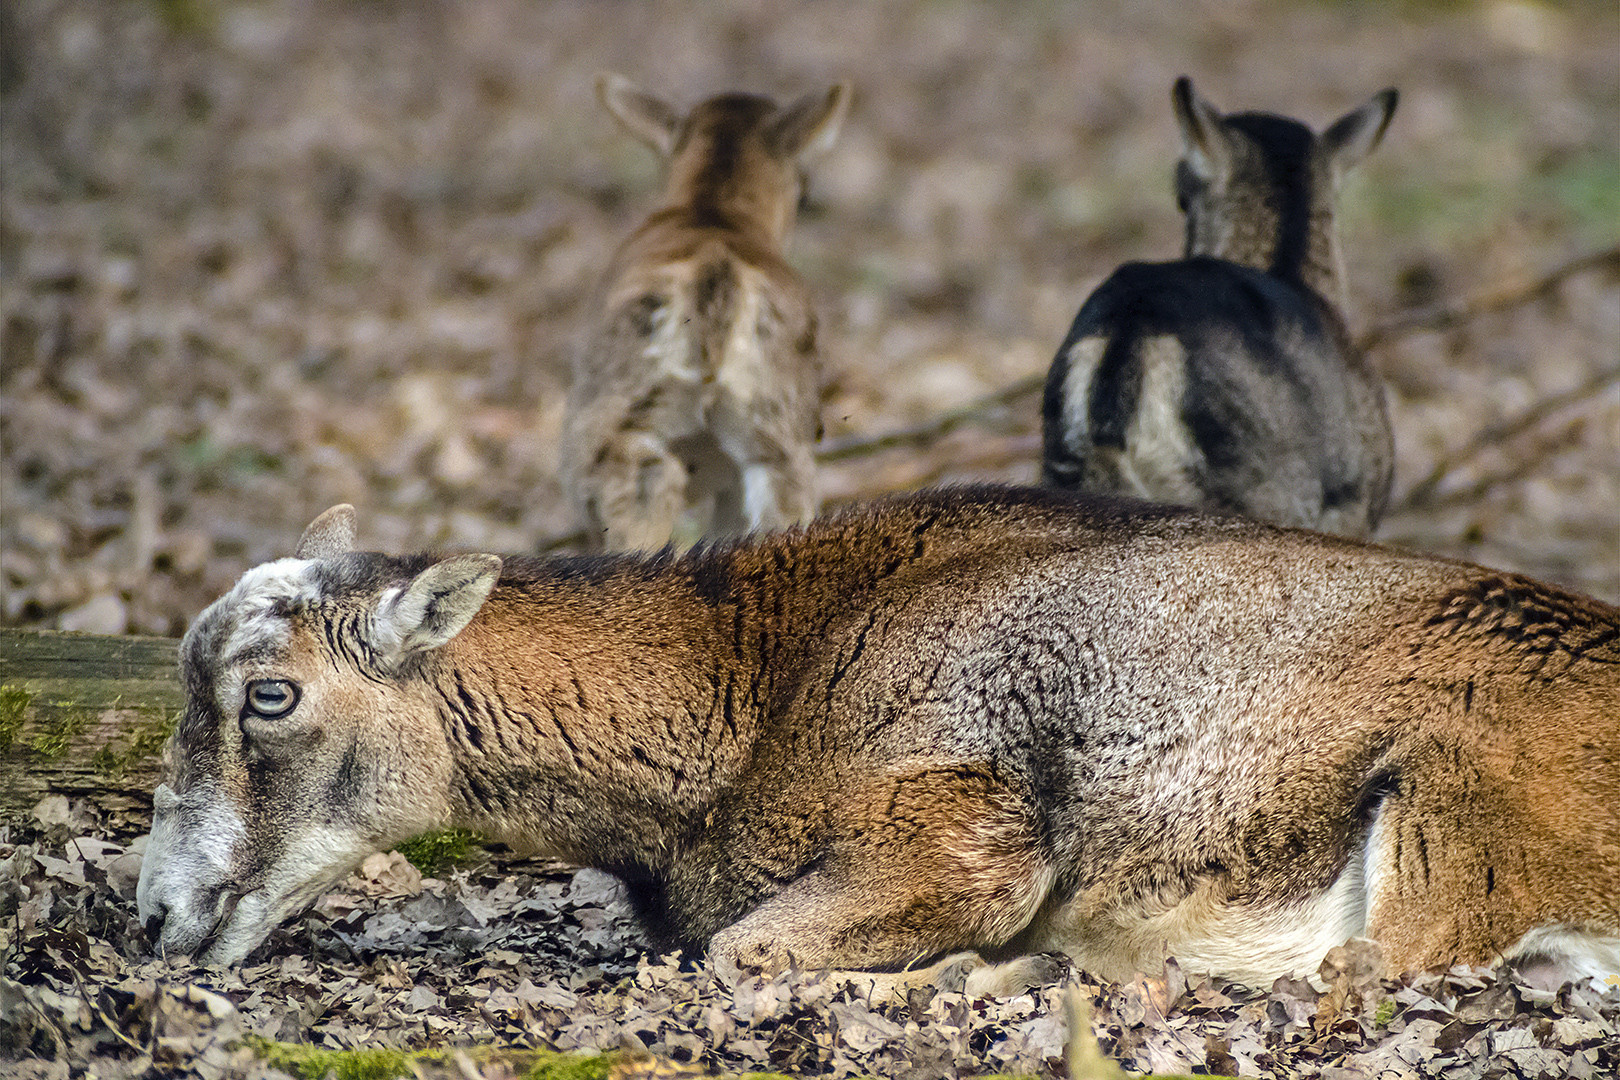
<point>307,739</point>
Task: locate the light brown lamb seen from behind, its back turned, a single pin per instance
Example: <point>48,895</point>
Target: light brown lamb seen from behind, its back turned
<point>697,394</point>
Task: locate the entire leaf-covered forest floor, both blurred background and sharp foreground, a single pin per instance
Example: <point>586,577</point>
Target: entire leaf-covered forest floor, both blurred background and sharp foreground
<point>262,258</point>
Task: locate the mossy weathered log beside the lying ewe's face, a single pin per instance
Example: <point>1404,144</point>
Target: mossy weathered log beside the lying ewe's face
<point>83,716</point>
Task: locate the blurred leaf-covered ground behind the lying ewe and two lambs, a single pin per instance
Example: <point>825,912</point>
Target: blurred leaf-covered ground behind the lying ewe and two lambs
<point>258,258</point>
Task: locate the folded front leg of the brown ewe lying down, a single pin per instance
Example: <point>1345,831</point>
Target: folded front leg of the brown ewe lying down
<point>931,862</point>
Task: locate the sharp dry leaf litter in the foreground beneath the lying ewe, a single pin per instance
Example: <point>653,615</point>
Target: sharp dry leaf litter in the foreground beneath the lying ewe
<point>531,955</point>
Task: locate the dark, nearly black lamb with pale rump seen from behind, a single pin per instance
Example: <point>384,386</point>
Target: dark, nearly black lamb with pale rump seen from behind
<point>1227,380</point>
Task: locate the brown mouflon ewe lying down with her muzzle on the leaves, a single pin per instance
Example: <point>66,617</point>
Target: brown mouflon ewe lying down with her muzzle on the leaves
<point>979,720</point>
